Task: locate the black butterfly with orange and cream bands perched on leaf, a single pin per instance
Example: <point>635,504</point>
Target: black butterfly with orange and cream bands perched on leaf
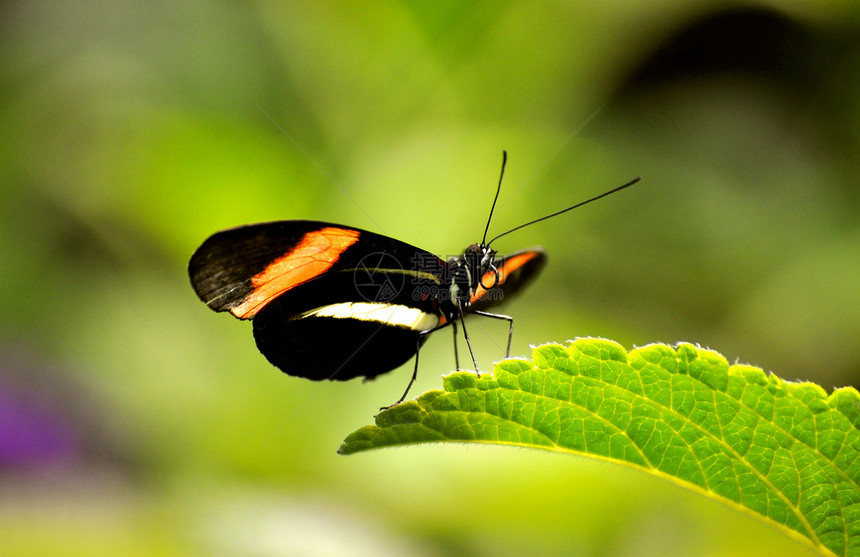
<point>335,302</point>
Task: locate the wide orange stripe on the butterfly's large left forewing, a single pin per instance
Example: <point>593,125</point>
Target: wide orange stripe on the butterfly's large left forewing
<point>314,255</point>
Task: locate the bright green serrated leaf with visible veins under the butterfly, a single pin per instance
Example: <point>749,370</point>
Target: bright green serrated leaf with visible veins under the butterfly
<point>786,452</point>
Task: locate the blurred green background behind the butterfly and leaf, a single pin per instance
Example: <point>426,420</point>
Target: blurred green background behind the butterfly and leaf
<point>134,421</point>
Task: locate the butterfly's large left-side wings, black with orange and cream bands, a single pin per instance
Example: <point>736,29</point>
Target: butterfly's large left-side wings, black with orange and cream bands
<point>327,301</point>
